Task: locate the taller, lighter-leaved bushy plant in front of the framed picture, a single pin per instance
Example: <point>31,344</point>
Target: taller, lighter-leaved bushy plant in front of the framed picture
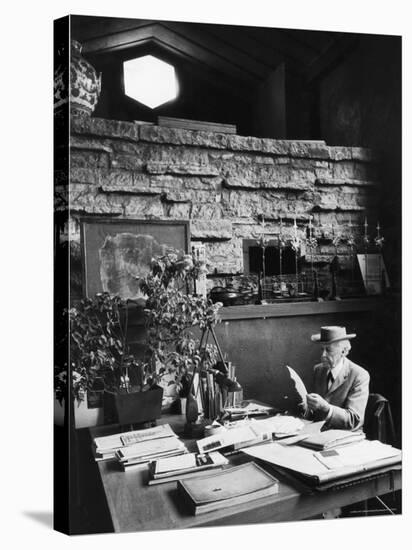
<point>171,311</point>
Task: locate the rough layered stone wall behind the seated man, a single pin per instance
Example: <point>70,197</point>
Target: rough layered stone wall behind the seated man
<point>222,183</point>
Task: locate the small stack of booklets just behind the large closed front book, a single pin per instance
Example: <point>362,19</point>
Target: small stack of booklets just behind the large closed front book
<point>184,466</point>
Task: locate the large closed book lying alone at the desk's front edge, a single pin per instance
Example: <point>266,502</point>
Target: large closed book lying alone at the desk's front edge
<point>233,486</point>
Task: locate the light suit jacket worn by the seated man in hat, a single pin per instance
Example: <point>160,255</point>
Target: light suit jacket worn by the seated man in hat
<point>348,393</point>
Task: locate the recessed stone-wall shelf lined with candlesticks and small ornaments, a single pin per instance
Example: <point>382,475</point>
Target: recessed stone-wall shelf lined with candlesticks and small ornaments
<point>305,264</point>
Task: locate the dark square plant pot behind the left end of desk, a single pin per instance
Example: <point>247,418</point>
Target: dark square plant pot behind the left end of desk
<point>134,407</point>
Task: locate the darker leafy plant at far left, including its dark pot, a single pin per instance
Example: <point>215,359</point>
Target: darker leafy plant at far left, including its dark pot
<point>100,358</point>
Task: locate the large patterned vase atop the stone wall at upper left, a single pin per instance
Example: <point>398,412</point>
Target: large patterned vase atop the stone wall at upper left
<point>78,85</point>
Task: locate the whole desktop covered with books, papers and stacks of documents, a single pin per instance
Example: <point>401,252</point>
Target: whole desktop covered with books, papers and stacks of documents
<point>255,466</point>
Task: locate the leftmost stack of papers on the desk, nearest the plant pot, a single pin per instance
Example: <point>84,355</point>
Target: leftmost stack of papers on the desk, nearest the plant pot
<point>105,447</point>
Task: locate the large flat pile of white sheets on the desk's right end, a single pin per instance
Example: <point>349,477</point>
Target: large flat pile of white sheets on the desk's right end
<point>318,468</point>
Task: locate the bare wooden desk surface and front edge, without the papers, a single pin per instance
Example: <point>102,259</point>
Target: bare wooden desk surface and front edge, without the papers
<point>134,506</point>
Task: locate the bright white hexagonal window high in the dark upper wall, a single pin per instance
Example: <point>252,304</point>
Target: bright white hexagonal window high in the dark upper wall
<point>150,81</point>
